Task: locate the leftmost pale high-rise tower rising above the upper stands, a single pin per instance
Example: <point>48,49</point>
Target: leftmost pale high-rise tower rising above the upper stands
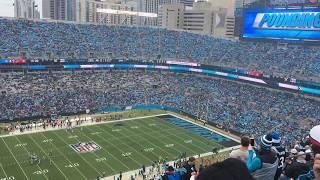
<point>26,9</point>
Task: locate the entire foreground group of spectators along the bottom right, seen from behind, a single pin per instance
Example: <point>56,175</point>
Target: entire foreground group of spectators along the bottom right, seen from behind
<point>267,160</point>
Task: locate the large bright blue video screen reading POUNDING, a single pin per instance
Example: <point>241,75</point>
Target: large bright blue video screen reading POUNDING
<point>282,24</point>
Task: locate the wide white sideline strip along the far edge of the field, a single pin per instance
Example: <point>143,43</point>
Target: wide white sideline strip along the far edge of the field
<point>39,129</point>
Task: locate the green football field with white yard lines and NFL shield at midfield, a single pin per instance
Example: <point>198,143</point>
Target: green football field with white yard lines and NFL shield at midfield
<point>120,146</point>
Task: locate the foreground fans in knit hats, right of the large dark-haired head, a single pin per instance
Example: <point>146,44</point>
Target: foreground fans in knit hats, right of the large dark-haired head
<point>270,160</point>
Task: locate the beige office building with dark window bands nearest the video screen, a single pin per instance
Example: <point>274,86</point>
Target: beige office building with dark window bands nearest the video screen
<point>201,18</point>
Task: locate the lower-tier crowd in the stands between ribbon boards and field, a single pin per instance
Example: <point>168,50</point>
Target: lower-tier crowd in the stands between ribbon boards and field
<point>233,105</point>
